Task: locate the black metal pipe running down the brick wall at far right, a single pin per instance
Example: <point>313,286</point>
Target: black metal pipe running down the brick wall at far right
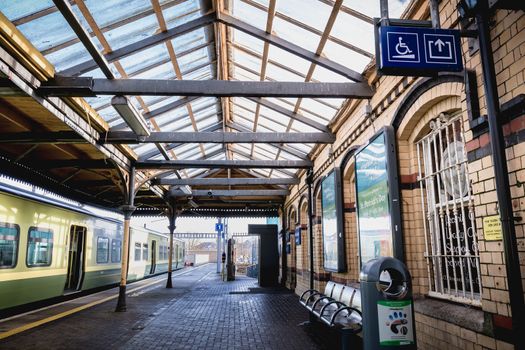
<point>497,143</point>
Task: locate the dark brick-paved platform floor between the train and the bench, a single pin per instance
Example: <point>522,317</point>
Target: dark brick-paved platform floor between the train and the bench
<point>200,312</point>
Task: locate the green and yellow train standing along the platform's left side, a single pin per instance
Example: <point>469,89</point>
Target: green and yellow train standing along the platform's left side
<point>49,249</point>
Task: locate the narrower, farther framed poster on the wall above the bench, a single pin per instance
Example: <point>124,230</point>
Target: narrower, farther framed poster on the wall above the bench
<point>332,223</point>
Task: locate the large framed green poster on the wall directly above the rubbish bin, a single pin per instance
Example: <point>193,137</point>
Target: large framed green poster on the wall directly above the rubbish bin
<point>377,198</point>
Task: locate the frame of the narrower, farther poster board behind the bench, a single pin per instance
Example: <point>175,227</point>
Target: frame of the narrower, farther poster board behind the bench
<point>341,256</point>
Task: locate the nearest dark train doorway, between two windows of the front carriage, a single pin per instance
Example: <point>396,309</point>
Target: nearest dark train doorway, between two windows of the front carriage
<point>75,262</point>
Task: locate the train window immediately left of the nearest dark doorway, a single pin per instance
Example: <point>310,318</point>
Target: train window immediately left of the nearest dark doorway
<point>39,247</point>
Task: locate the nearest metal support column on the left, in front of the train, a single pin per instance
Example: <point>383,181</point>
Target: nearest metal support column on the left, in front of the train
<point>128,210</point>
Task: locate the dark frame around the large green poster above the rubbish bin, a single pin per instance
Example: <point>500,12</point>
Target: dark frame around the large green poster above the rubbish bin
<point>394,197</point>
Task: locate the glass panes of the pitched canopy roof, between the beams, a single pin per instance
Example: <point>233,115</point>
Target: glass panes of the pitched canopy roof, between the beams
<point>340,31</point>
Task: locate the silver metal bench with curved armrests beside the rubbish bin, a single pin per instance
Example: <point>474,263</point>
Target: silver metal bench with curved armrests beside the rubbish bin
<point>338,307</point>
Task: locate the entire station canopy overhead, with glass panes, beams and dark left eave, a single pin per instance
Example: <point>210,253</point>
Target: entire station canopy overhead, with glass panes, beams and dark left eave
<point>221,103</point>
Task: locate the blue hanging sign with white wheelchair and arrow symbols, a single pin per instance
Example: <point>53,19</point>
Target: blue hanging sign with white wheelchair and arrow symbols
<point>418,51</point>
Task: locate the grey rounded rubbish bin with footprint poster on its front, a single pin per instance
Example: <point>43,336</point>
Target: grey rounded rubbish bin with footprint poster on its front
<point>386,297</point>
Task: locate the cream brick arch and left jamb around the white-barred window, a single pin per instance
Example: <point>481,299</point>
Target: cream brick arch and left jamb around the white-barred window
<point>423,103</point>
